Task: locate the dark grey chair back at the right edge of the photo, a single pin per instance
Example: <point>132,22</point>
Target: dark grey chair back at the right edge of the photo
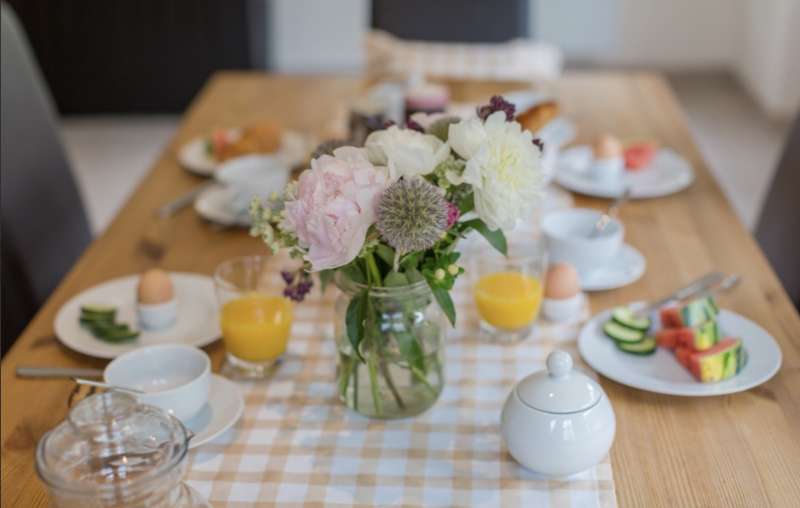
<point>778,229</point>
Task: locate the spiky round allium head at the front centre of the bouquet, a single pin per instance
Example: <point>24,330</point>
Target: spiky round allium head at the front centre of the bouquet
<point>412,214</point>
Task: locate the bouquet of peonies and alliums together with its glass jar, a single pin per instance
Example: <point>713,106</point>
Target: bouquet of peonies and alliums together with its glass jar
<point>383,223</point>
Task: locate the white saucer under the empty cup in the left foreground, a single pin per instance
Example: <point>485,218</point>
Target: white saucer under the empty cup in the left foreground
<point>225,407</point>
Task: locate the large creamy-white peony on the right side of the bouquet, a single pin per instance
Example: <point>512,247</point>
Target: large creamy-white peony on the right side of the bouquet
<point>504,170</point>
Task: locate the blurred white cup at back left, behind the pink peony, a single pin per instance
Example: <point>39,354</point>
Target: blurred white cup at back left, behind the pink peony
<point>252,176</point>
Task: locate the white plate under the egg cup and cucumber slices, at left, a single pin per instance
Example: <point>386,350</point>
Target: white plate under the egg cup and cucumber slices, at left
<point>197,324</point>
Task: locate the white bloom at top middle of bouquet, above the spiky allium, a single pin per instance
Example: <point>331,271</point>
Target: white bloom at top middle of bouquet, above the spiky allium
<point>407,152</point>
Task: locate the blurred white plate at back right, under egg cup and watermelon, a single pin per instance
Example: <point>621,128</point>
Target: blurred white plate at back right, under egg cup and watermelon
<point>668,173</point>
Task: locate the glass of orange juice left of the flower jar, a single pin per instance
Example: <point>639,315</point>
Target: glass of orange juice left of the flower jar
<point>255,317</point>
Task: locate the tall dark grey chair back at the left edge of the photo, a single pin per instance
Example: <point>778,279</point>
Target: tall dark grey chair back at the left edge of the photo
<point>44,226</point>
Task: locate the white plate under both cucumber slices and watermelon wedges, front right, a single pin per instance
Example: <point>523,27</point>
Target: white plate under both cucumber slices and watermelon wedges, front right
<point>662,373</point>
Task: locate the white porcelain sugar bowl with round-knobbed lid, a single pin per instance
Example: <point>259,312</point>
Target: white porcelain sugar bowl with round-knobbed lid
<point>558,421</point>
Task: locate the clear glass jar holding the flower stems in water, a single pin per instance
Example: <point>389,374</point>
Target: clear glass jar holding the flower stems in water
<point>398,369</point>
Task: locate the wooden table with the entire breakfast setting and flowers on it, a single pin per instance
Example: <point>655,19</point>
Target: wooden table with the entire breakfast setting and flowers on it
<point>411,291</point>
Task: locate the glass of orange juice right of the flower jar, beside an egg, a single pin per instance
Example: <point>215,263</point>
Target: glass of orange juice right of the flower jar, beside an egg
<point>509,289</point>
